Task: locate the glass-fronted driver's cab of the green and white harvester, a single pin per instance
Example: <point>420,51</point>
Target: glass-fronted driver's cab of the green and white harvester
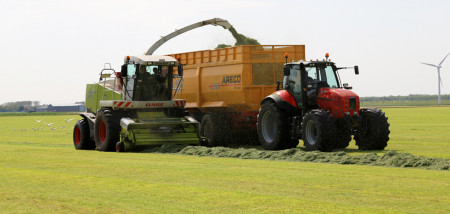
<point>148,78</point>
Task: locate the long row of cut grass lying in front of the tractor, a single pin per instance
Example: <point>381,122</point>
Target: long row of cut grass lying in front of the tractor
<point>389,159</point>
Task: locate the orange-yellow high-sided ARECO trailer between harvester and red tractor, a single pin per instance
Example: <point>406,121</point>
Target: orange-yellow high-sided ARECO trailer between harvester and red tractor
<point>223,88</point>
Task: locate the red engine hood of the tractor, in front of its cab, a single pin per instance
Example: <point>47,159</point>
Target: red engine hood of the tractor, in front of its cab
<point>338,101</point>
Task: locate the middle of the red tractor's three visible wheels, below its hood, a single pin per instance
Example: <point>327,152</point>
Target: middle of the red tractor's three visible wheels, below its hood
<point>319,131</point>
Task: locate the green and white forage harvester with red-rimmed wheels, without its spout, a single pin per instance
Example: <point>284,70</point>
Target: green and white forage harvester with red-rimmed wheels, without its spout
<point>134,108</point>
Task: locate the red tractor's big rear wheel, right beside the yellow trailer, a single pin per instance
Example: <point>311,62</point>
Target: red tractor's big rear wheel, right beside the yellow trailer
<point>273,127</point>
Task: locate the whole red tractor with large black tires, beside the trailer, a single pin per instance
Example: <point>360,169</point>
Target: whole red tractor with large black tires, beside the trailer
<point>312,105</point>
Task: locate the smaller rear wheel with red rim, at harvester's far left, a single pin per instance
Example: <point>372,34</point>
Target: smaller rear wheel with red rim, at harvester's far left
<point>81,136</point>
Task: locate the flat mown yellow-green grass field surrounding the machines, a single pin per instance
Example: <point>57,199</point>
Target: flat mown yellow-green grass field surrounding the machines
<point>42,172</point>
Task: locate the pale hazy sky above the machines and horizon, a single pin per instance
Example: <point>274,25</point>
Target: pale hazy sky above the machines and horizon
<point>50,49</point>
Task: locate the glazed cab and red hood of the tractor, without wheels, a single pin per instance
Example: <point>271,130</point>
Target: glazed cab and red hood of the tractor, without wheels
<point>319,86</point>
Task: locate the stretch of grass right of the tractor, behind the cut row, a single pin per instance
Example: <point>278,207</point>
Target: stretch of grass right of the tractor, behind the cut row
<point>421,131</point>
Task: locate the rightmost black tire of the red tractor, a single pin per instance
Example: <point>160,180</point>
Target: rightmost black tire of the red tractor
<point>373,130</point>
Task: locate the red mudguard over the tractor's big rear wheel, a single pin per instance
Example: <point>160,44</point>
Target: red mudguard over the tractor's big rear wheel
<point>283,100</point>
